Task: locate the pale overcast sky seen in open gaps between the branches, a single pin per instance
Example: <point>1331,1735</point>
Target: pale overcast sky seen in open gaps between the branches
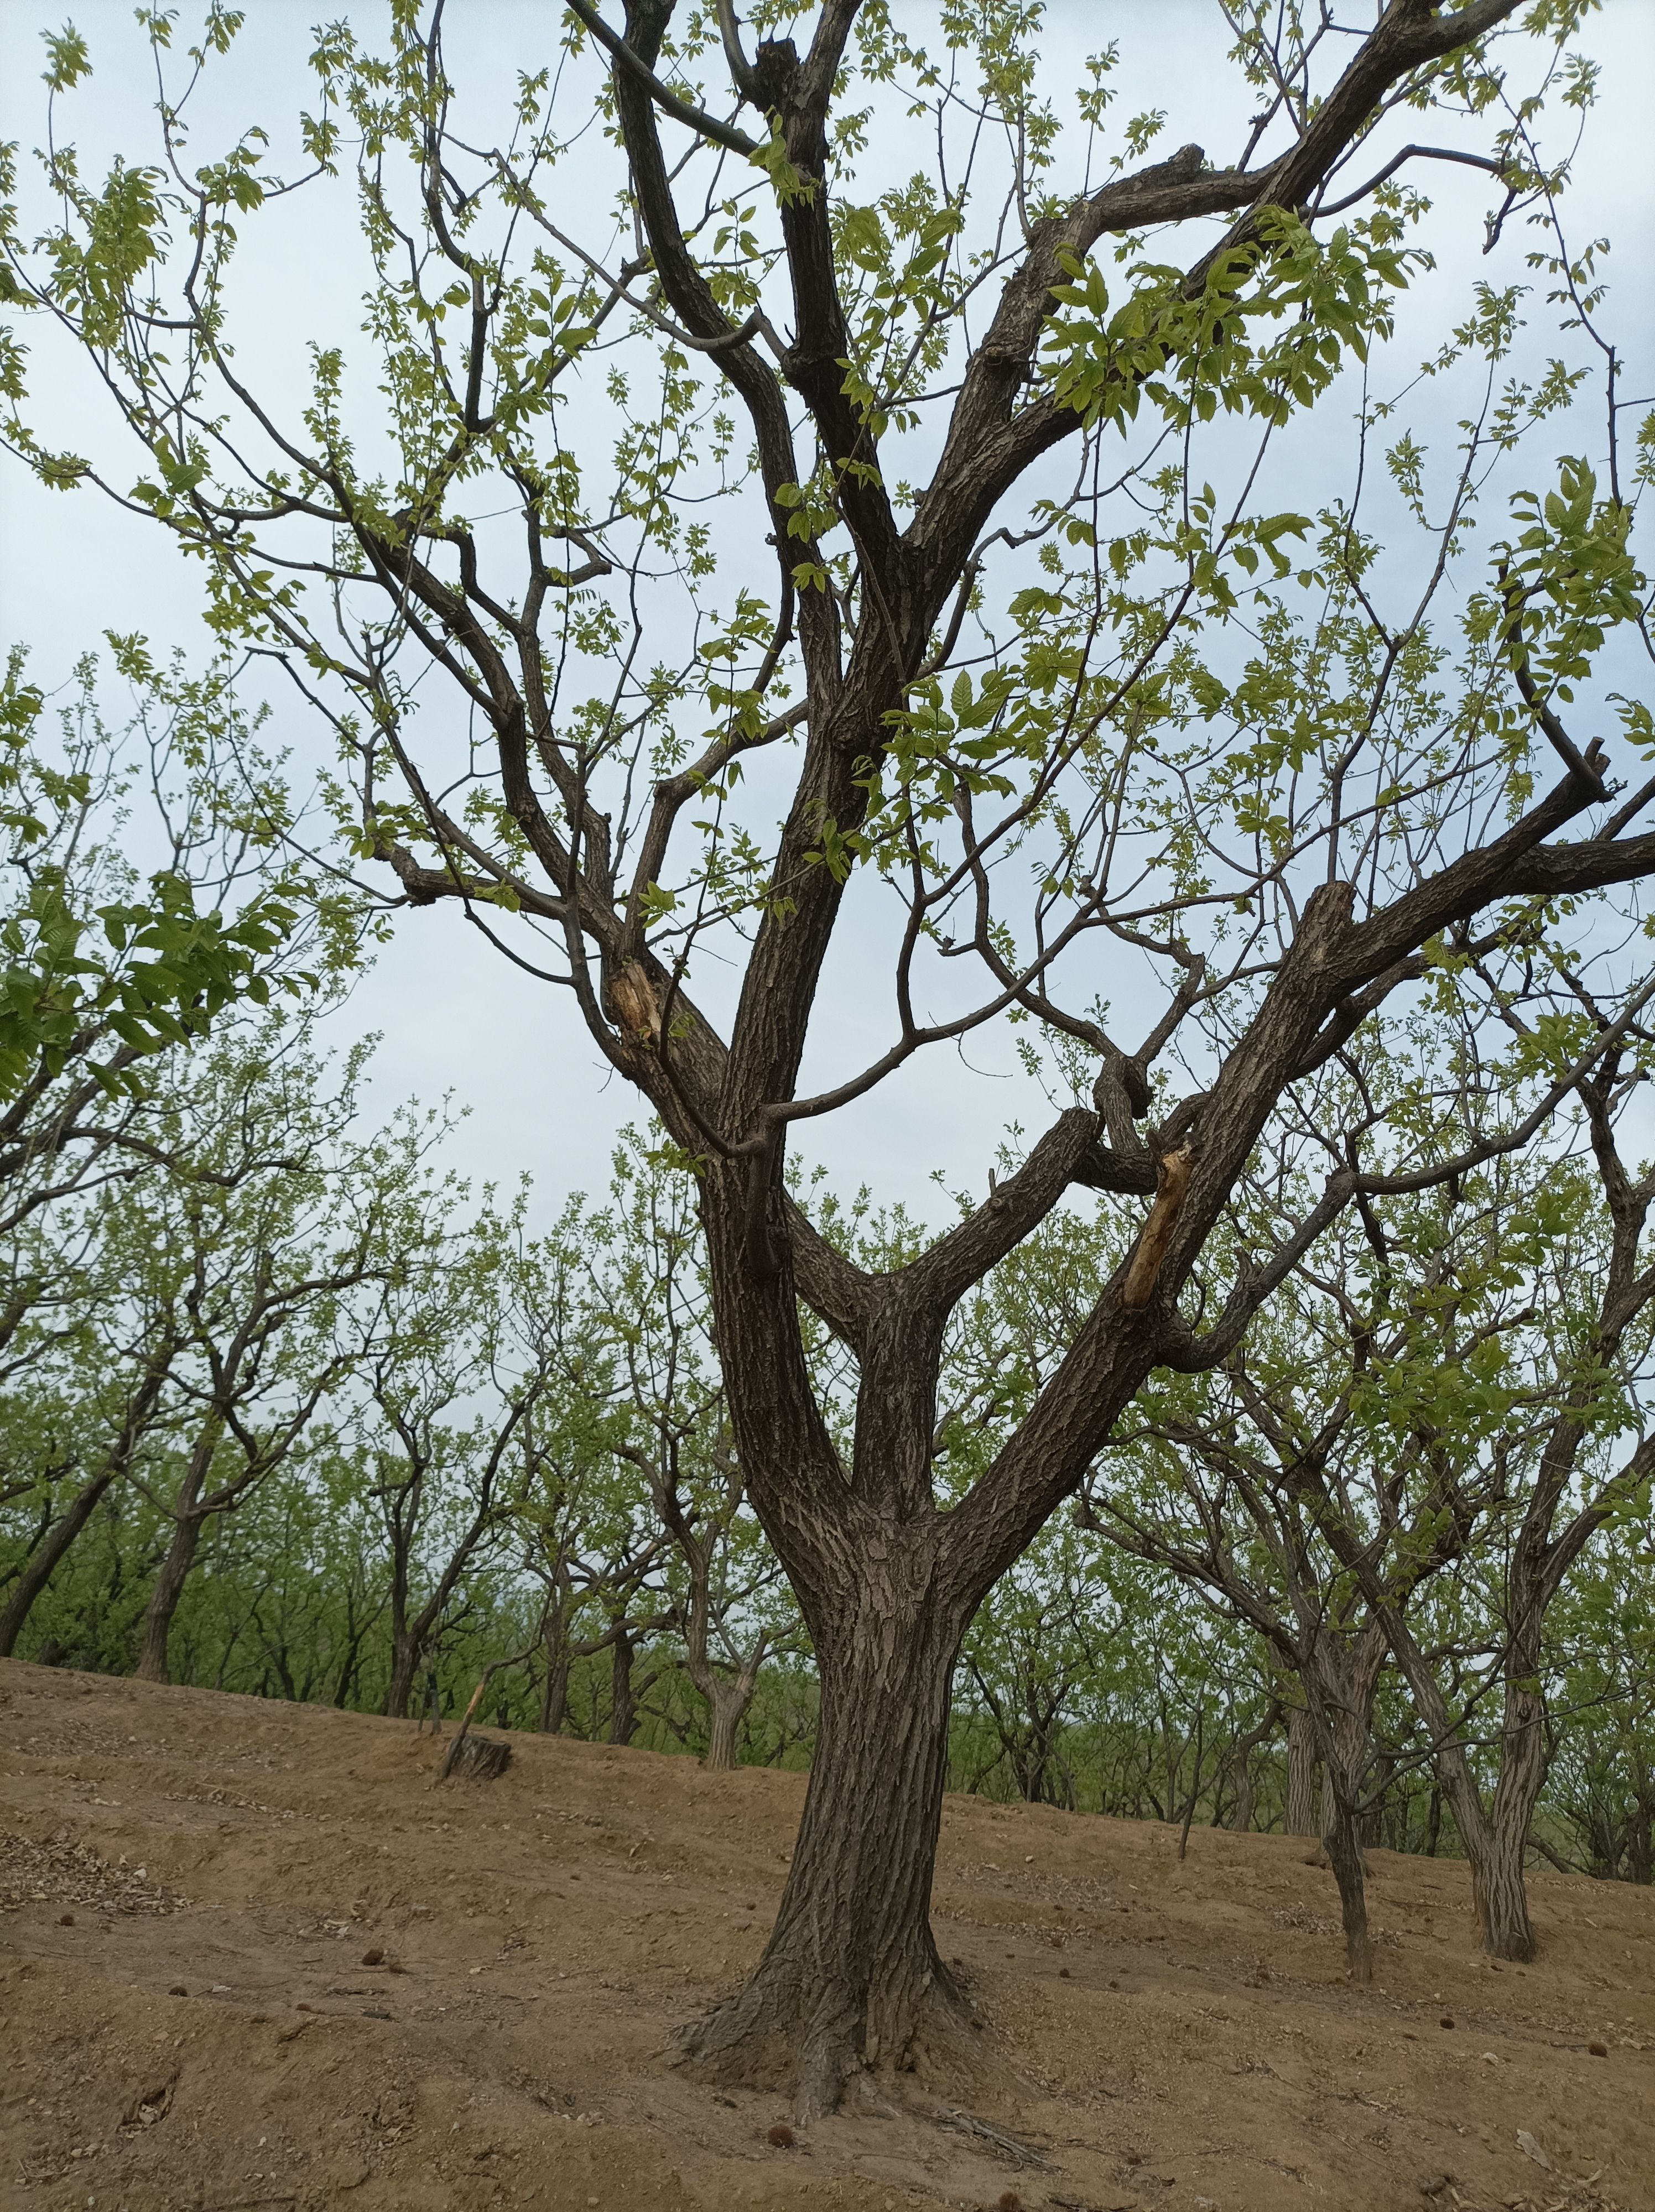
<point>455,1016</point>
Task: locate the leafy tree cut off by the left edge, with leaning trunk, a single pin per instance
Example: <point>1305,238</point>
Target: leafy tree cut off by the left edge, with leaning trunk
<point>110,977</point>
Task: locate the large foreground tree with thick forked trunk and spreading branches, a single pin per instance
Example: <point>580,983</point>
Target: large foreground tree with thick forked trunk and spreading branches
<point>1017,702</point>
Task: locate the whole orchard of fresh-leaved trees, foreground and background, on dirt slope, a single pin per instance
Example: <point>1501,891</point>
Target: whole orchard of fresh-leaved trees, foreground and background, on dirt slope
<point>804,556</point>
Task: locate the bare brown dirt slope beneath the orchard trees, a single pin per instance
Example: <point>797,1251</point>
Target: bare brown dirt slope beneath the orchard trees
<point>251,1957</point>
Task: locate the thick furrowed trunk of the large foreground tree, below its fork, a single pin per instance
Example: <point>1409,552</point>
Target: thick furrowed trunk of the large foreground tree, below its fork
<point>851,1976</point>
